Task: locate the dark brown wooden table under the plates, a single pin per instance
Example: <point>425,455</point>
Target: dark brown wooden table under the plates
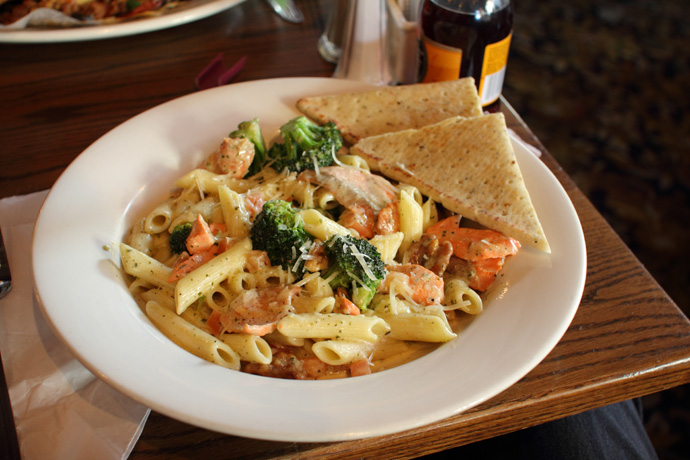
<point>628,338</point>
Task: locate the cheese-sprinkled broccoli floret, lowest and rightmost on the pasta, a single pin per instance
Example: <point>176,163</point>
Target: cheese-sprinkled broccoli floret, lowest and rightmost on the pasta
<point>358,265</point>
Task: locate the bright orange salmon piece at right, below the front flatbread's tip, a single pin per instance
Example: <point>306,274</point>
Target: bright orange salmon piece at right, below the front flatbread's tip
<point>472,243</point>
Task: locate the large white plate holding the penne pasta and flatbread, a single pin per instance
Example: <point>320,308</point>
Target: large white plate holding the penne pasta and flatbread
<point>131,168</point>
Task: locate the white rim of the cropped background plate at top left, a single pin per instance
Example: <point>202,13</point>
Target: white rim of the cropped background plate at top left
<point>192,11</point>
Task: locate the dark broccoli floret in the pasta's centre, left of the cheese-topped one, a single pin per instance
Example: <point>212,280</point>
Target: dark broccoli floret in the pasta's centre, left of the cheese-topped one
<point>280,232</point>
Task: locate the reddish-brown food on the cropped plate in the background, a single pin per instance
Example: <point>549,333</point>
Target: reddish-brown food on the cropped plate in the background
<point>84,10</point>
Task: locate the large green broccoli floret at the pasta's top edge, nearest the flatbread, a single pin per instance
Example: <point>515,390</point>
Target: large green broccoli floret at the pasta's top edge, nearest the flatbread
<point>305,144</point>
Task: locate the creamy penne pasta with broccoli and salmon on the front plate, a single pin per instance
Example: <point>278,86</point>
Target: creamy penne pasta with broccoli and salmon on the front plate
<point>291,265</point>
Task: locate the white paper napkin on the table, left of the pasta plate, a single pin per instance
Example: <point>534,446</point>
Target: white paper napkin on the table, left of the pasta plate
<point>61,410</point>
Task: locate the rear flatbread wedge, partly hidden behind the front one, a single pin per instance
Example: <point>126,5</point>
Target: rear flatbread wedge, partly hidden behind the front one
<point>393,108</point>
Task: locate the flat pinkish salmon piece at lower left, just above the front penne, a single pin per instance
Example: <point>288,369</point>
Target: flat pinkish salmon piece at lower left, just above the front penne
<point>258,311</point>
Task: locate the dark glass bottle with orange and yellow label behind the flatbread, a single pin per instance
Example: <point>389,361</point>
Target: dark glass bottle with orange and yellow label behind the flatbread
<point>462,38</point>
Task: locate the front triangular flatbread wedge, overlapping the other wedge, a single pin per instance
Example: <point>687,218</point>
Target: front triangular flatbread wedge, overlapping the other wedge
<point>466,164</point>
